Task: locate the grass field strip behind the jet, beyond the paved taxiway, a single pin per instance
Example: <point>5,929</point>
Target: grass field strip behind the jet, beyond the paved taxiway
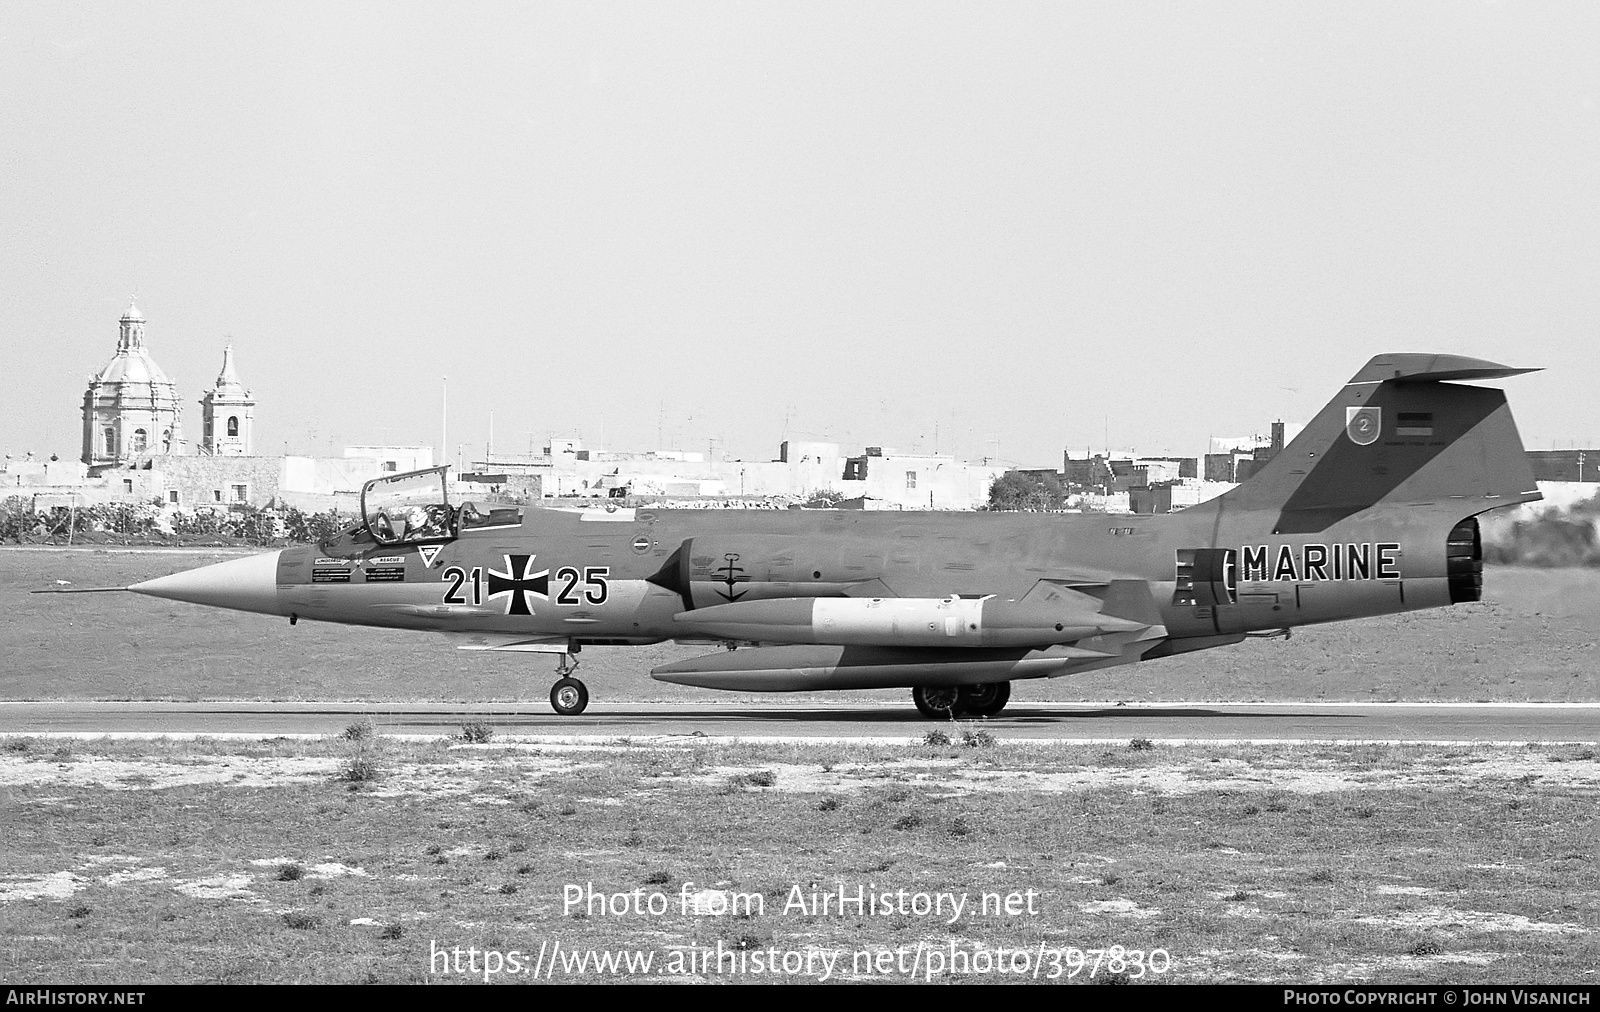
<point>1532,640</point>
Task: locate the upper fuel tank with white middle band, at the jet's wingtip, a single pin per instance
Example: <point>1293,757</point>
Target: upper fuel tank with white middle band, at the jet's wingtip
<point>902,622</point>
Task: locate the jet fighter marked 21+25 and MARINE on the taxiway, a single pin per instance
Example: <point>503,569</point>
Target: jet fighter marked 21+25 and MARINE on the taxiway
<point>1370,510</point>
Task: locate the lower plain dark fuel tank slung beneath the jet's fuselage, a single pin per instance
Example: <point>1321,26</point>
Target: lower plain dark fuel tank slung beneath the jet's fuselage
<point>801,669</point>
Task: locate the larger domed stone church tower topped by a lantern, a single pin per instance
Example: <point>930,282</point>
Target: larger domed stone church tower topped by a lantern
<point>132,408</point>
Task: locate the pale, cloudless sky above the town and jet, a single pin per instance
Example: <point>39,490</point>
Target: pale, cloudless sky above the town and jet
<point>996,231</point>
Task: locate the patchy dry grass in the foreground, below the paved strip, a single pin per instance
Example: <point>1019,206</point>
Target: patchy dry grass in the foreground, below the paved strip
<point>1146,851</point>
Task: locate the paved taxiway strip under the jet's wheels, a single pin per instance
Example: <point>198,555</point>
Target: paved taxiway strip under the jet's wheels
<point>847,720</point>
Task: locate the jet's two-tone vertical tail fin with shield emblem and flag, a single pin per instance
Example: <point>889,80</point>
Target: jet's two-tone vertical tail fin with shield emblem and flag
<point>1401,432</point>
